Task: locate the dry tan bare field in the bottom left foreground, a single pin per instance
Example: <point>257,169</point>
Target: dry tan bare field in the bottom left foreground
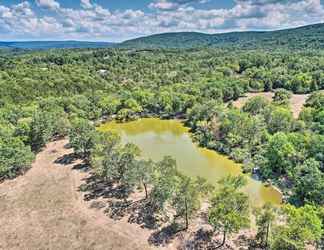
<point>44,210</point>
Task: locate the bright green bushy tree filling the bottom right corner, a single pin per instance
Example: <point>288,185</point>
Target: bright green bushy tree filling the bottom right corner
<point>303,225</point>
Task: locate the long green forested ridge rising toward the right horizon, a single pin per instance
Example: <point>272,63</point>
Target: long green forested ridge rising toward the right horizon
<point>311,36</point>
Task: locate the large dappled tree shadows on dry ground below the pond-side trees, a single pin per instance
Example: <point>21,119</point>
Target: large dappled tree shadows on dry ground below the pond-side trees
<point>116,202</point>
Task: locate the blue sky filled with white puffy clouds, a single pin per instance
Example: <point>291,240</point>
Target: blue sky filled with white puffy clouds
<point>119,20</point>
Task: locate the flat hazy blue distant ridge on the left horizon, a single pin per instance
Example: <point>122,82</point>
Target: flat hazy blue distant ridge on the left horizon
<point>34,45</point>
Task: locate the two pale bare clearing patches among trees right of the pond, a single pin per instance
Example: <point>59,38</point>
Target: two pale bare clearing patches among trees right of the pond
<point>297,102</point>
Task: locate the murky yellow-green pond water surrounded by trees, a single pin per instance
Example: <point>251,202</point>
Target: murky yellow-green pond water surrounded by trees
<point>158,138</point>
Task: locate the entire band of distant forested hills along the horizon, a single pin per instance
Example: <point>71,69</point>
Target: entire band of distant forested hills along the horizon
<point>305,37</point>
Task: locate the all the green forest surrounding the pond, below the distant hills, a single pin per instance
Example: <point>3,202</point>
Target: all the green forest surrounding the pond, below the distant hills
<point>57,93</point>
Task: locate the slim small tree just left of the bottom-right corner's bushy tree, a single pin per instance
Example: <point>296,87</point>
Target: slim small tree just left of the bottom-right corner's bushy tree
<point>265,217</point>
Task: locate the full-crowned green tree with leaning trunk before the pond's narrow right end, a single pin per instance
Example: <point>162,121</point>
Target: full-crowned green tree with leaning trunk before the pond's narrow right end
<point>229,211</point>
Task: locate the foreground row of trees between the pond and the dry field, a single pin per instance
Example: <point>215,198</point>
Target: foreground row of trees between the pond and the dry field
<point>168,192</point>
